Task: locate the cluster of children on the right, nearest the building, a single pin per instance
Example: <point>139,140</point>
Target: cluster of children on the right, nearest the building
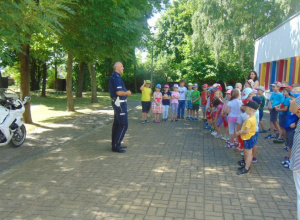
<point>240,115</point>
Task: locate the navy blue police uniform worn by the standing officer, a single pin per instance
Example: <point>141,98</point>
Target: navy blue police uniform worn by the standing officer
<point>120,124</point>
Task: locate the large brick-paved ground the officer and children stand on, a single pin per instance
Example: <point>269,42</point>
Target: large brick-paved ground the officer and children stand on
<point>170,171</point>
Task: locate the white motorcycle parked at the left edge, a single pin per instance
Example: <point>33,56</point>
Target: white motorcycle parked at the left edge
<point>12,128</point>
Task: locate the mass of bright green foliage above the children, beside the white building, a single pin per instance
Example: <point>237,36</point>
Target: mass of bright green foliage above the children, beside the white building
<point>213,40</point>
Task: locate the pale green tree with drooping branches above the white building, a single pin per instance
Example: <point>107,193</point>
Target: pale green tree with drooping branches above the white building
<point>229,28</point>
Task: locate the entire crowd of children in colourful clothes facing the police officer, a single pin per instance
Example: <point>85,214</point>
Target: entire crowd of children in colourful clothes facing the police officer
<point>237,118</point>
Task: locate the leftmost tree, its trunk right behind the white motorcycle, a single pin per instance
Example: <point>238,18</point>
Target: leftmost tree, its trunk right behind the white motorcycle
<point>19,21</point>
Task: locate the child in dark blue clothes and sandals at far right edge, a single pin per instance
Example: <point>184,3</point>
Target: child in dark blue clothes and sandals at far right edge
<point>290,126</point>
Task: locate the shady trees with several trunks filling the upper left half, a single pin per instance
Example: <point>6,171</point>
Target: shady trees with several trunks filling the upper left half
<point>89,31</point>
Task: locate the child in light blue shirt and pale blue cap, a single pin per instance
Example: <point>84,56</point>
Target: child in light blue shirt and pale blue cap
<point>275,100</point>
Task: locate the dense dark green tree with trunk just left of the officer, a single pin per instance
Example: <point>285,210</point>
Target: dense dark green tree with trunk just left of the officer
<point>111,29</point>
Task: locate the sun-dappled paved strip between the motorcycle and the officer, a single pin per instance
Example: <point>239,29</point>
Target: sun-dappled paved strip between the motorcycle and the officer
<point>48,137</point>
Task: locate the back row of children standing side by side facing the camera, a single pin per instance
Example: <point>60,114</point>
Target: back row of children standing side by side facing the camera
<point>179,98</point>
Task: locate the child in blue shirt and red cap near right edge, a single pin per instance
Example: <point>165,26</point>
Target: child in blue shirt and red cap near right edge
<point>283,110</point>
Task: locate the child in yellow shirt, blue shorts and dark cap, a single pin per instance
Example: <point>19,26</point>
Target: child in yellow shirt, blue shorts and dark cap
<point>247,133</point>
